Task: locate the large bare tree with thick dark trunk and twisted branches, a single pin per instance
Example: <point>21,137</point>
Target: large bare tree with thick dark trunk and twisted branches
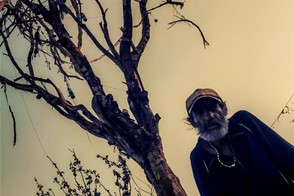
<point>42,25</point>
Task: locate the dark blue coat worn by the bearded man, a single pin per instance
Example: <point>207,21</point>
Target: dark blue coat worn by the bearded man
<point>265,162</point>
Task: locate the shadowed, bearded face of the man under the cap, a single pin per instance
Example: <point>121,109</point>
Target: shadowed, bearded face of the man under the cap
<point>210,119</point>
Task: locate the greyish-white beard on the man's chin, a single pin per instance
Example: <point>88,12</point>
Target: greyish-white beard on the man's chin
<point>216,134</point>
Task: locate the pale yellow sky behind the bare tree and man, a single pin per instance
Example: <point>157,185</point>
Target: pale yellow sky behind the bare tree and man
<point>250,62</point>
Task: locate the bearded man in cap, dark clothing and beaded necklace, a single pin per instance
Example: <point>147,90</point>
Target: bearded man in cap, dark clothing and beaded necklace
<point>237,156</point>
